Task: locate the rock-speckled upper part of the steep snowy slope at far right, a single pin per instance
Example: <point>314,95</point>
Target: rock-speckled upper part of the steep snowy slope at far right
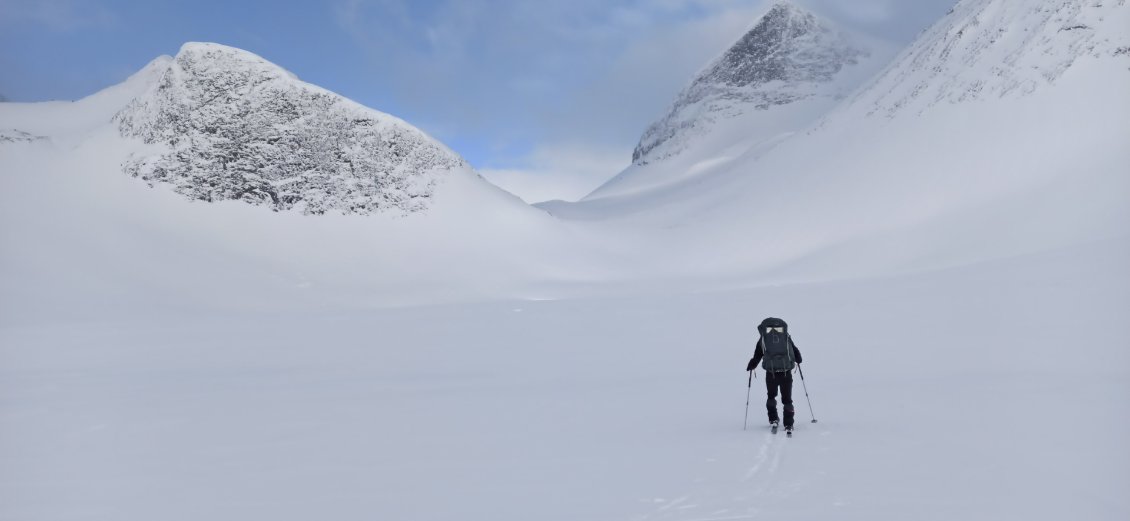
<point>986,49</point>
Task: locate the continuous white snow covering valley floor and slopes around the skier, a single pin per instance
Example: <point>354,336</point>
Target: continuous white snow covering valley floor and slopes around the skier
<point>949,246</point>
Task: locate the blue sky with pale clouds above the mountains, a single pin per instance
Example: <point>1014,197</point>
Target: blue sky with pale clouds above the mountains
<point>547,98</point>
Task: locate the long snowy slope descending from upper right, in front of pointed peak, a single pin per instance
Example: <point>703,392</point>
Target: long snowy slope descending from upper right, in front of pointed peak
<point>1001,132</point>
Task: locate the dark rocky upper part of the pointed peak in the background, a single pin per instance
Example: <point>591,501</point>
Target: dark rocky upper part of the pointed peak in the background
<point>788,56</point>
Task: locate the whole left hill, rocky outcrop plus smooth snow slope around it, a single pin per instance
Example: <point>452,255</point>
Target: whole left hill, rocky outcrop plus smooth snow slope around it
<point>83,238</point>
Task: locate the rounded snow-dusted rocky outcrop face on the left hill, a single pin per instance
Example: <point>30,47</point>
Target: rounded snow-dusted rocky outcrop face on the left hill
<point>234,127</point>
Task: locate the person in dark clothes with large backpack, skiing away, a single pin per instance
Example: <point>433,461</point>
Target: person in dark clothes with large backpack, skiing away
<point>779,357</point>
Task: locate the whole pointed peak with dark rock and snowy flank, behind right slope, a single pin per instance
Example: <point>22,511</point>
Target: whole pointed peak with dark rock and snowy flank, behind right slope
<point>783,75</point>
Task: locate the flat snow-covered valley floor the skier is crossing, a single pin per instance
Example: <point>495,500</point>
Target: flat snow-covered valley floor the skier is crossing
<point>989,393</point>
